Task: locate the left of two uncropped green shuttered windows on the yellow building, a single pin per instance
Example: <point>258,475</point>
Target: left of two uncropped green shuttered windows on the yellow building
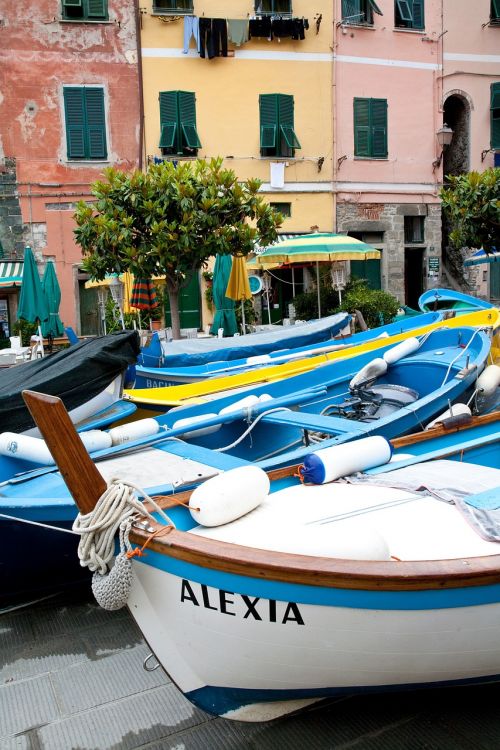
<point>178,123</point>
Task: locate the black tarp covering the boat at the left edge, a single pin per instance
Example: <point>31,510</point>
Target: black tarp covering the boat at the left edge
<point>75,374</point>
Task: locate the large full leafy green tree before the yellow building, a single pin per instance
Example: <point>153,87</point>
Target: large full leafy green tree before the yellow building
<point>169,221</point>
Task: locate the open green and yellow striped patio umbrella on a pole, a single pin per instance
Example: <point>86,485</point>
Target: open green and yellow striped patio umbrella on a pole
<point>319,247</point>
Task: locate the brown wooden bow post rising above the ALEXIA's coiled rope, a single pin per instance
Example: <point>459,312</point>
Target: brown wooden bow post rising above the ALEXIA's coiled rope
<point>83,479</point>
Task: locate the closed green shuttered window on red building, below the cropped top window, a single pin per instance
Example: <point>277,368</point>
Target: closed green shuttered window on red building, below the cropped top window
<point>85,122</point>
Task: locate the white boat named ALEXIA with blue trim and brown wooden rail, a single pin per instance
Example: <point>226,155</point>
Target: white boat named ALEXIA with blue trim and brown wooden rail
<point>261,595</point>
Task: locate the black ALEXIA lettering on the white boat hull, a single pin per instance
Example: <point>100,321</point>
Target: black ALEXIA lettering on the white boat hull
<point>257,608</point>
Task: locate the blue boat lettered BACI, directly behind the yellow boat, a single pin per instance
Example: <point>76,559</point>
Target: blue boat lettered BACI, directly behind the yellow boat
<point>155,377</point>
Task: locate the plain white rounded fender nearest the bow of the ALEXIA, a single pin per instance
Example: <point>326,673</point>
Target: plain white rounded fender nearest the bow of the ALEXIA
<point>229,495</point>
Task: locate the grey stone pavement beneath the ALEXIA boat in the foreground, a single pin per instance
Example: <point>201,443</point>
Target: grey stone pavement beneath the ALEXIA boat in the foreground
<point>71,677</point>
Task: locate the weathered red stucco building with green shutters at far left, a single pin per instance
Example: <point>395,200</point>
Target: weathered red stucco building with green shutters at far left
<point>70,106</point>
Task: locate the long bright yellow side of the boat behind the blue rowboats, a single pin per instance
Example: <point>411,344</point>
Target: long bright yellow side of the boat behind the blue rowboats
<point>178,395</point>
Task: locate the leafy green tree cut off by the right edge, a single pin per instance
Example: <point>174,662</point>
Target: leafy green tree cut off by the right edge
<point>471,203</point>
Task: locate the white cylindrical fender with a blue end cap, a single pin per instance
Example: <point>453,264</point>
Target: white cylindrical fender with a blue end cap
<point>328,464</point>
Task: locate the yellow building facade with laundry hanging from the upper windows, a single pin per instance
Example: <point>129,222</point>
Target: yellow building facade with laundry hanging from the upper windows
<point>266,107</point>
